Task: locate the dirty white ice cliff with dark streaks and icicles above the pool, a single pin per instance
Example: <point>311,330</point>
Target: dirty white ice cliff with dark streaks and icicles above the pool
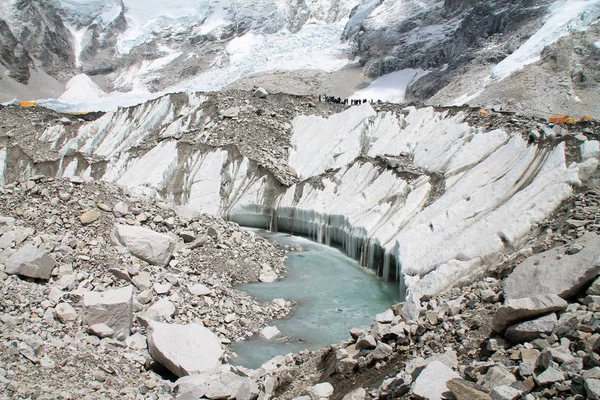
<point>418,195</point>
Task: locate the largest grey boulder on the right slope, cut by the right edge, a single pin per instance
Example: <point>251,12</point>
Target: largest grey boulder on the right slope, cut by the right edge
<point>553,272</point>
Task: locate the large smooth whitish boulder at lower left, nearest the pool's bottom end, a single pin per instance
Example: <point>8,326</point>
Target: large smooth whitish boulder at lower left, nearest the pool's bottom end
<point>195,351</point>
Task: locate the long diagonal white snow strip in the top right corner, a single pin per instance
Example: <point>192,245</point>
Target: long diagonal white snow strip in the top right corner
<point>567,16</point>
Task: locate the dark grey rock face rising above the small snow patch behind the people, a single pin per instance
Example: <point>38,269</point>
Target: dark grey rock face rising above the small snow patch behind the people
<point>446,38</point>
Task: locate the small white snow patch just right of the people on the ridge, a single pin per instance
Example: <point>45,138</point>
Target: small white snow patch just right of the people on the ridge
<point>391,87</point>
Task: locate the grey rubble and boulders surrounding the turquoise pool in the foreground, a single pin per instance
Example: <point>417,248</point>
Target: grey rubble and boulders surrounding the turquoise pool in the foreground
<point>106,294</point>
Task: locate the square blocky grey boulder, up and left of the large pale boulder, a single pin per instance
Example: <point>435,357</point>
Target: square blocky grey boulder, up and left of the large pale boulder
<point>112,307</point>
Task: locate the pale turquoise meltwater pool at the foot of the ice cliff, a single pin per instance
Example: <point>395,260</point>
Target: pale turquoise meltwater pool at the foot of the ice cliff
<point>334,294</point>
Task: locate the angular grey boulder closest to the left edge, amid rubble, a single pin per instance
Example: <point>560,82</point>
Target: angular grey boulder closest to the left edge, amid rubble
<point>30,261</point>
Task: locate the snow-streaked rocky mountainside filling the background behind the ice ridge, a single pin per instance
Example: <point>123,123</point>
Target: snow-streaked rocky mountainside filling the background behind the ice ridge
<point>459,47</point>
